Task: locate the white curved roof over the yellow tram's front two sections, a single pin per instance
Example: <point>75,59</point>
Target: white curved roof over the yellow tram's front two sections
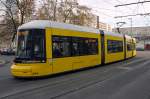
<point>42,24</point>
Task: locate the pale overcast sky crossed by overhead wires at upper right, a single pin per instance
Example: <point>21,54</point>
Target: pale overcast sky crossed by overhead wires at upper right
<point>106,11</point>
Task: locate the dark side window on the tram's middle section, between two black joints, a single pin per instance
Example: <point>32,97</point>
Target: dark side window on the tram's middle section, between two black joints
<point>114,46</point>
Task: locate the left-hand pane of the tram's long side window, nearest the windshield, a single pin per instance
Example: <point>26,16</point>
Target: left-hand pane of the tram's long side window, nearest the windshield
<point>61,46</point>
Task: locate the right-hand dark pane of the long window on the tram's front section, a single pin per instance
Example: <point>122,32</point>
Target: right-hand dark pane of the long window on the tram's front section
<point>84,46</point>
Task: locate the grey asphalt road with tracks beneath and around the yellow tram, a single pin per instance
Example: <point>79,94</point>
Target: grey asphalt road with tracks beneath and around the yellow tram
<point>124,80</point>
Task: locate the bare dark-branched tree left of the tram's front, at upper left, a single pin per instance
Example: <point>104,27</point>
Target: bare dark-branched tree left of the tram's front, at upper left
<point>16,12</point>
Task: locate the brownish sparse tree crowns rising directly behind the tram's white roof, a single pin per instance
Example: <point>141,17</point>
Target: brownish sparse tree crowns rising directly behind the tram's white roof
<point>67,11</point>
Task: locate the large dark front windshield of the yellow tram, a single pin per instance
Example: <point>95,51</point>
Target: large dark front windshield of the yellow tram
<point>31,46</point>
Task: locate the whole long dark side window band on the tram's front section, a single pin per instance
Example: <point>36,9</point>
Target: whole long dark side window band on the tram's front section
<point>74,46</point>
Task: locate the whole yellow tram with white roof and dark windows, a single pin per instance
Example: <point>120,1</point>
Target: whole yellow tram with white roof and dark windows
<point>46,47</point>
